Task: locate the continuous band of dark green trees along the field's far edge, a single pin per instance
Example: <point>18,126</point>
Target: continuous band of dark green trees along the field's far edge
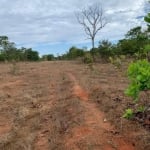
<point>135,44</point>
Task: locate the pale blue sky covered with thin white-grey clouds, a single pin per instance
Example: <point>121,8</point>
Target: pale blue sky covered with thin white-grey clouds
<point>51,27</point>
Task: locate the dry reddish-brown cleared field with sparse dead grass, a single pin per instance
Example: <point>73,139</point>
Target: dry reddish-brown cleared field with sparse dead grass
<point>68,106</point>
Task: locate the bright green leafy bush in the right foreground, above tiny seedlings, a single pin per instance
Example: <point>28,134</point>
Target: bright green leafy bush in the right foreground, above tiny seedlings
<point>139,75</point>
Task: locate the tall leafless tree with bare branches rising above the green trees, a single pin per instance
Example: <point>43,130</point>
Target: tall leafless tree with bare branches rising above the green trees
<point>92,19</point>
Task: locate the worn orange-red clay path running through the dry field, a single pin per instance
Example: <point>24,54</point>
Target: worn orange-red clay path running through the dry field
<point>95,126</point>
